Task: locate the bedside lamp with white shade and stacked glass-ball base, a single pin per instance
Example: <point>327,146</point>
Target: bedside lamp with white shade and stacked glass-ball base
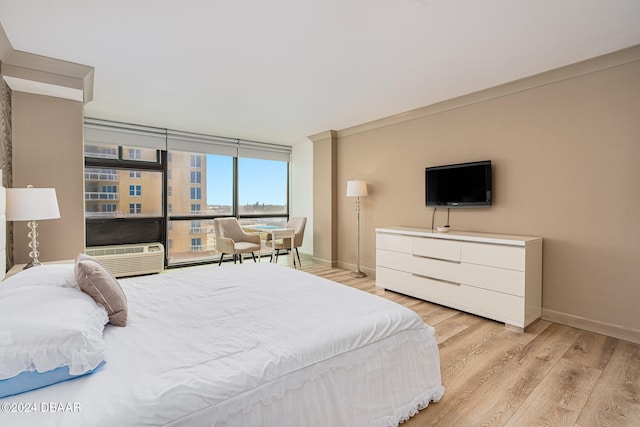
<point>32,205</point>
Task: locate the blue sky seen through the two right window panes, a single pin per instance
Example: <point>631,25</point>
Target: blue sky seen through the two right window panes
<point>261,181</point>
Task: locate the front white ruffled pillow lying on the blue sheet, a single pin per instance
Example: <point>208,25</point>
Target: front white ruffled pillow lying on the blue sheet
<point>47,327</point>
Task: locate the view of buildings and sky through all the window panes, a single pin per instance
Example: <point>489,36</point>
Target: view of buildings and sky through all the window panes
<point>200,187</point>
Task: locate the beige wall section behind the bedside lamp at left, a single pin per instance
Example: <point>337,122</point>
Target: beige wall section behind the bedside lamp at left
<point>48,152</point>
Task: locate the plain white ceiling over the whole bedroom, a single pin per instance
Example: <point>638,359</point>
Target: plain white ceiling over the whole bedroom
<point>281,70</point>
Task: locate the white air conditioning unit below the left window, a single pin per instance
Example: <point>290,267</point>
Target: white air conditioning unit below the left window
<point>130,260</point>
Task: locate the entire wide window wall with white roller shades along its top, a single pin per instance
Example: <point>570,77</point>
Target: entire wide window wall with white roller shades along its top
<point>126,170</point>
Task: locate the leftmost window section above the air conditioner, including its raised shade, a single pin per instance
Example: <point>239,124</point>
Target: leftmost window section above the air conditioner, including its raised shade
<point>123,181</point>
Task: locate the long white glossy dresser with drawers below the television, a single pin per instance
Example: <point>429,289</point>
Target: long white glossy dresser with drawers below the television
<point>491,275</point>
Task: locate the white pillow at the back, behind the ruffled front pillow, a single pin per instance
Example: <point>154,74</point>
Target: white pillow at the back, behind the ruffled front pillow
<point>45,275</point>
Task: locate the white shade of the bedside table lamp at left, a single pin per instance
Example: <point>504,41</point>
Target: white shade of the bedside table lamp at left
<point>32,204</point>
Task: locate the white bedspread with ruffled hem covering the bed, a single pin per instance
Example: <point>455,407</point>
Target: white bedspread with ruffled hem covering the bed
<point>248,345</point>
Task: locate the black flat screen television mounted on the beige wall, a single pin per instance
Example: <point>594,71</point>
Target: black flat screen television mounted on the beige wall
<point>463,185</point>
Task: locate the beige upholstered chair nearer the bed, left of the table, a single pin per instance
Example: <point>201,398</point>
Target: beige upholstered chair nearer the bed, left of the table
<point>232,240</point>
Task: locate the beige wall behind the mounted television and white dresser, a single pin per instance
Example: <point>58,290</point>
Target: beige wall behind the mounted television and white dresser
<point>566,153</point>
